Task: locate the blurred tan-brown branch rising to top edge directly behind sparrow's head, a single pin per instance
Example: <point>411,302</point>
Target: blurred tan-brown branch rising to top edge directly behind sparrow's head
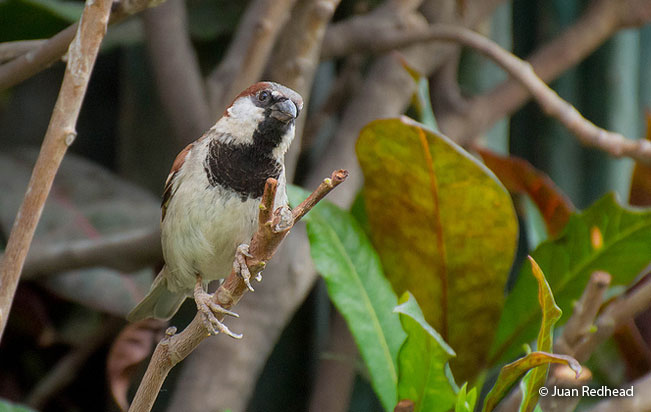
<point>249,51</point>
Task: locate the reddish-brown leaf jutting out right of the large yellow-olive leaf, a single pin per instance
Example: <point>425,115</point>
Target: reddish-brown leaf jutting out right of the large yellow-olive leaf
<point>520,176</point>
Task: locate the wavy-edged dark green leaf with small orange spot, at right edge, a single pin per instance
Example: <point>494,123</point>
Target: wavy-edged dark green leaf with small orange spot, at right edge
<point>605,237</point>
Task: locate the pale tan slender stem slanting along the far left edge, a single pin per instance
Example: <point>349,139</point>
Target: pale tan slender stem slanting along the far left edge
<point>59,136</point>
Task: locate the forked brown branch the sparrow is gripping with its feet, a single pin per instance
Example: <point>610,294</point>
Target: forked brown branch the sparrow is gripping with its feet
<point>272,229</point>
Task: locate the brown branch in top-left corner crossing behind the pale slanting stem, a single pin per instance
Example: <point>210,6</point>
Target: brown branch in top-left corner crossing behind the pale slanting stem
<point>36,60</point>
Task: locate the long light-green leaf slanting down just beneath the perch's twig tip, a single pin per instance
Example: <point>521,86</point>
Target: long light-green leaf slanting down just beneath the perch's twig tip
<point>345,258</point>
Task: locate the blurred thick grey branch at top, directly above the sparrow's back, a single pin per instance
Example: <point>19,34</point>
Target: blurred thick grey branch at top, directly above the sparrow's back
<point>177,72</point>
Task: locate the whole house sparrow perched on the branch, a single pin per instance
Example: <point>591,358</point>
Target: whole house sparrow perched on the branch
<point>212,197</point>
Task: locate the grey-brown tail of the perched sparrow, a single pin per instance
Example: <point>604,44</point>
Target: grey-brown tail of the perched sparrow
<point>160,302</point>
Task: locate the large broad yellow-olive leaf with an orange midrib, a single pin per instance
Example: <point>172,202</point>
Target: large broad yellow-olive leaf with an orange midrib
<point>445,230</point>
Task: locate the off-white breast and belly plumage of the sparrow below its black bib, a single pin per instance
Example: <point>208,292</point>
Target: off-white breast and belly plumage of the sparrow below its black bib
<point>203,226</point>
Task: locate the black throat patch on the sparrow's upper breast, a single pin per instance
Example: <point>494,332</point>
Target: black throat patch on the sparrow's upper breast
<point>242,168</point>
